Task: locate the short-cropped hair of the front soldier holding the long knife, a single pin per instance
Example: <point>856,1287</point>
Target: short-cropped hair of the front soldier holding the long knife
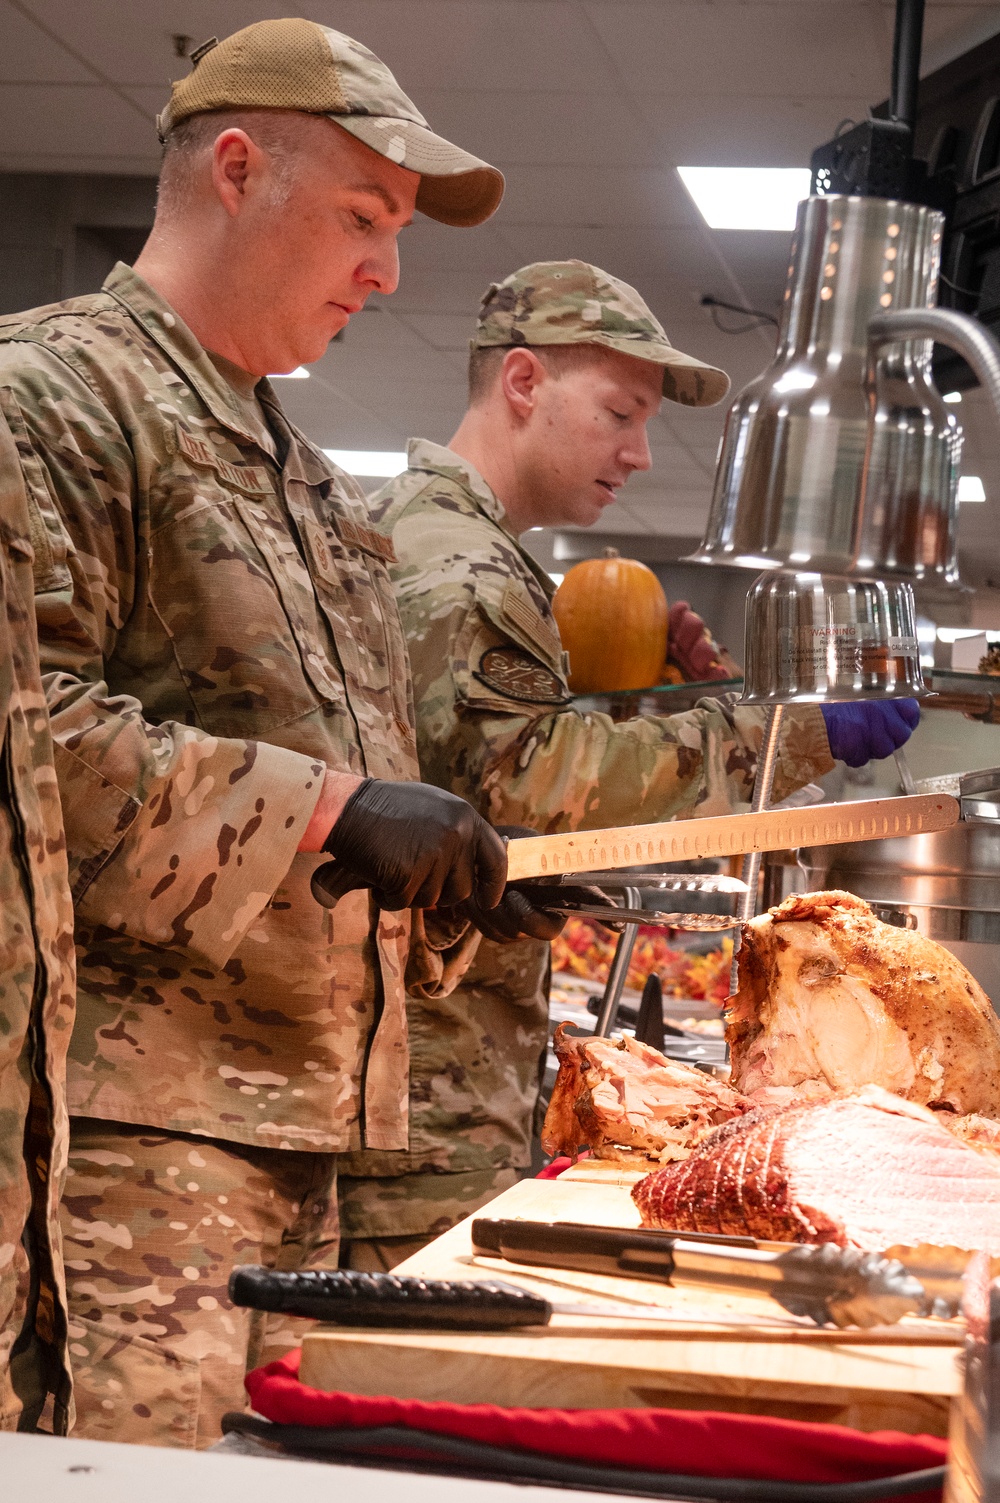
<point>283,135</point>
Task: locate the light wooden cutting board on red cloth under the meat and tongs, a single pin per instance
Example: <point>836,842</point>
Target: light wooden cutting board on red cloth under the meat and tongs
<point>900,1377</point>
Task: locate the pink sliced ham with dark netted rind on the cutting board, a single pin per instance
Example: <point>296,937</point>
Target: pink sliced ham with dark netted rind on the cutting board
<point>862,1172</point>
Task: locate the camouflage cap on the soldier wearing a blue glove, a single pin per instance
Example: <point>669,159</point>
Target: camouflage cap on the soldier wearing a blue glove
<point>571,303</point>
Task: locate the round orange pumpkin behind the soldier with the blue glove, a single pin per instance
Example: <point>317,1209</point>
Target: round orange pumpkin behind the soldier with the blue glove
<point>613,621</point>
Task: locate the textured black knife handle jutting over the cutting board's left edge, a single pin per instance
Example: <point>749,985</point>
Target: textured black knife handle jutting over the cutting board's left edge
<point>348,1298</point>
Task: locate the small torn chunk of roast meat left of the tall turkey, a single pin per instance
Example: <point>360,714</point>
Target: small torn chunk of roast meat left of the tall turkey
<point>629,1102</point>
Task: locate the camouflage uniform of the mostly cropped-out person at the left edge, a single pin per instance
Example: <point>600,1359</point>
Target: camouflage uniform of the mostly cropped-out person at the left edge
<point>37,996</point>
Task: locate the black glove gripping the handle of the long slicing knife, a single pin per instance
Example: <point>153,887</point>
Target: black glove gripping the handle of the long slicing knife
<point>416,847</point>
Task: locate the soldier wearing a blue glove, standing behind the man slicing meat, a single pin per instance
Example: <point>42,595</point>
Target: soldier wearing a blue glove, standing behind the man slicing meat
<point>494,715</point>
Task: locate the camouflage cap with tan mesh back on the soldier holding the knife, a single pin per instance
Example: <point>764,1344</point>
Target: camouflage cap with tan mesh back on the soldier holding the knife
<point>302,65</point>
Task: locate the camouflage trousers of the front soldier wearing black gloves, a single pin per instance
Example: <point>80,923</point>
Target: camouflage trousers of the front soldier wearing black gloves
<point>153,1226</point>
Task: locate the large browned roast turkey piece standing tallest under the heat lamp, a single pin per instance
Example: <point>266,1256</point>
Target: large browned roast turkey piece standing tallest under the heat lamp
<point>831,1000</point>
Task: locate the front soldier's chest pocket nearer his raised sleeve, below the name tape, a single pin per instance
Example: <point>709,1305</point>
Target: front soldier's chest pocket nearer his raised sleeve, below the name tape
<point>234,596</point>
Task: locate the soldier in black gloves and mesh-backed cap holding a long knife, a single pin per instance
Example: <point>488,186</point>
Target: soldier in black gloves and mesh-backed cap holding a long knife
<point>231,698</point>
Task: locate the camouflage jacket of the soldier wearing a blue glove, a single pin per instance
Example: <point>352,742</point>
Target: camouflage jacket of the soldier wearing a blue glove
<point>495,724</point>
